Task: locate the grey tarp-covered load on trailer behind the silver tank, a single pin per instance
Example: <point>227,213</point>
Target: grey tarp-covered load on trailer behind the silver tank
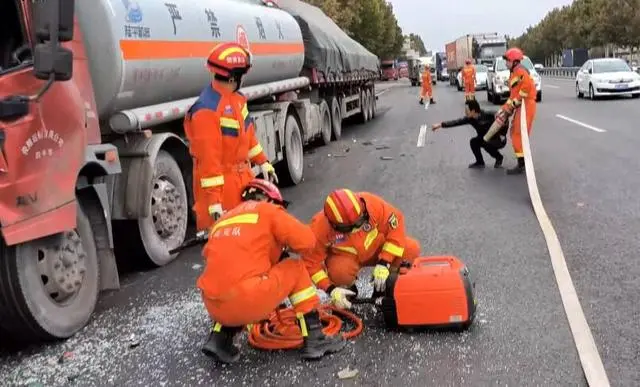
<point>327,47</point>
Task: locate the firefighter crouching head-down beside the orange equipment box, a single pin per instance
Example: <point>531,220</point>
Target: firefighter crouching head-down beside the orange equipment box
<point>354,230</point>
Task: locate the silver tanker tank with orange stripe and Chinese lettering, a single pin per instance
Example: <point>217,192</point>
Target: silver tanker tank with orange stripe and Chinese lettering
<point>147,52</point>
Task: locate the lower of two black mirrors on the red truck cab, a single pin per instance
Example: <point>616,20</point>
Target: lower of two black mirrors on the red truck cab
<point>49,58</point>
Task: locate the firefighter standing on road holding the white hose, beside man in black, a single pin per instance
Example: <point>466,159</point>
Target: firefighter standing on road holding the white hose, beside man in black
<point>522,90</point>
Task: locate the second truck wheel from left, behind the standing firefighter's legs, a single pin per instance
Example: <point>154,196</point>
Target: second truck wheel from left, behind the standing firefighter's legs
<point>166,226</point>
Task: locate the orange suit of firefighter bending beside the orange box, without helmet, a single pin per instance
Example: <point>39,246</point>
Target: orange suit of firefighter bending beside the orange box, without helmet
<point>338,257</point>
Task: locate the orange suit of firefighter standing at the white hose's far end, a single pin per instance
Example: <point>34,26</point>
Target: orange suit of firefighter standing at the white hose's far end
<point>523,90</point>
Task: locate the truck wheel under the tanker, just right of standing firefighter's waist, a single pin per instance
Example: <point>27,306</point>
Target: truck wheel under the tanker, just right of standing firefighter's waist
<point>290,169</point>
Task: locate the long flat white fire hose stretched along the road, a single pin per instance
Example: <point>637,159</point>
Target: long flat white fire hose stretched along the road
<point>590,359</point>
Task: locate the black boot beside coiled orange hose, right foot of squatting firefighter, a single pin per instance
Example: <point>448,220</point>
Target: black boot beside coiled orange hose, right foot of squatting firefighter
<point>316,343</point>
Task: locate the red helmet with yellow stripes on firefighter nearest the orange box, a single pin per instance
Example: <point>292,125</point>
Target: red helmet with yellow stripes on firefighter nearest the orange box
<point>344,210</point>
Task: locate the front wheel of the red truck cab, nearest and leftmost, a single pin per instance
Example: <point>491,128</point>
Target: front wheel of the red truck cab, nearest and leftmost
<point>49,287</point>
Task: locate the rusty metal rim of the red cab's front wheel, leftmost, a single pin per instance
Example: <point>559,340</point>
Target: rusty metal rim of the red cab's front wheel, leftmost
<point>62,268</point>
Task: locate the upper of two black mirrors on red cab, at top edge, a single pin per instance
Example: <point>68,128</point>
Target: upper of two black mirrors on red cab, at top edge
<point>52,15</point>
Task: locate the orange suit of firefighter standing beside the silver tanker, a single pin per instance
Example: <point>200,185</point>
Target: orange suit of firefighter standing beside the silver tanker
<point>223,143</point>
